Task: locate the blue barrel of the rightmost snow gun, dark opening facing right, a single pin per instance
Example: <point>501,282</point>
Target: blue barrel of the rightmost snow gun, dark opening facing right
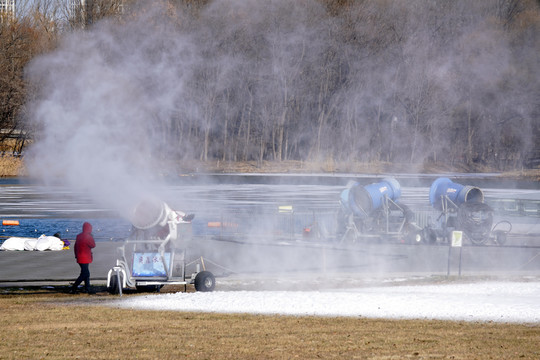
<point>457,193</point>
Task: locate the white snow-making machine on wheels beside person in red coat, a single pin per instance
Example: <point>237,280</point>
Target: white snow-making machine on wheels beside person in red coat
<point>155,253</point>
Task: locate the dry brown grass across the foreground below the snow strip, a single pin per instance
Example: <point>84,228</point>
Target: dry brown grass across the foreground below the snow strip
<point>44,324</point>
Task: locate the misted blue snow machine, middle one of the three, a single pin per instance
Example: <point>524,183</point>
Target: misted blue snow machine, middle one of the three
<point>373,212</point>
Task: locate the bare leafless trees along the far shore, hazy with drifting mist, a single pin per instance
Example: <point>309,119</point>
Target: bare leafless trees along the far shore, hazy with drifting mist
<point>453,82</point>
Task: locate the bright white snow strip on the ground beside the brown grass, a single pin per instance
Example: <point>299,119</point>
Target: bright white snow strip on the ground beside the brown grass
<point>511,301</point>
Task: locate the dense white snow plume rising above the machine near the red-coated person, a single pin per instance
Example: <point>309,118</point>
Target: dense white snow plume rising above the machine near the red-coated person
<point>99,110</point>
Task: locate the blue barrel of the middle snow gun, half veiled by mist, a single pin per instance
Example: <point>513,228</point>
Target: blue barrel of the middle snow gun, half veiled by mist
<point>363,200</point>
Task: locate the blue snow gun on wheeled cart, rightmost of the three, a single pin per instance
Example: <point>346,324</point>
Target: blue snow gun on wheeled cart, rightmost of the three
<point>462,208</point>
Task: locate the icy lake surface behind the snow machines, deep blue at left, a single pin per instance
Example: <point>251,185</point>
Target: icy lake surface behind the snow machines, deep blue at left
<point>47,210</point>
